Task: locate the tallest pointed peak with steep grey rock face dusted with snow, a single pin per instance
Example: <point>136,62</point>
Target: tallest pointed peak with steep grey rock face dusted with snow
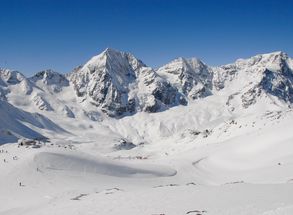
<point>118,83</point>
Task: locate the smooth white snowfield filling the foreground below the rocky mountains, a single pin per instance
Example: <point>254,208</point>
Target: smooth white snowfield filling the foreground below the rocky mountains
<point>247,169</point>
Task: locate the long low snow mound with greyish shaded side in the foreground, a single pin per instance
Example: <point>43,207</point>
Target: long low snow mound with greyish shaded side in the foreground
<point>86,164</point>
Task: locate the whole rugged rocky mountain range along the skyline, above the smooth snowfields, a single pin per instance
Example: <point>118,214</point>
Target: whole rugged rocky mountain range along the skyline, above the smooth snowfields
<point>116,84</point>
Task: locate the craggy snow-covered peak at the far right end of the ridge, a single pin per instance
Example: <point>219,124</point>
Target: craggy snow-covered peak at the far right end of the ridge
<point>259,76</point>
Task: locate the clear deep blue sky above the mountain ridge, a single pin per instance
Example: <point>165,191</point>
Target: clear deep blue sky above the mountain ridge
<point>62,34</point>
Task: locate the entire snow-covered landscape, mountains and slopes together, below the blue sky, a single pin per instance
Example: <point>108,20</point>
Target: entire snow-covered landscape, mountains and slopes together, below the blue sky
<point>115,136</point>
